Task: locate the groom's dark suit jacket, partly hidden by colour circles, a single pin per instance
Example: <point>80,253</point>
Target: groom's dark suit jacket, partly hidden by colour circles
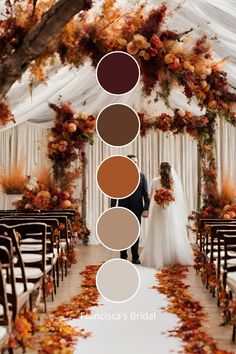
<point>138,201</point>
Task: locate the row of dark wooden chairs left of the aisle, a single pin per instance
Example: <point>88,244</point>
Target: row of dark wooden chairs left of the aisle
<point>29,252</point>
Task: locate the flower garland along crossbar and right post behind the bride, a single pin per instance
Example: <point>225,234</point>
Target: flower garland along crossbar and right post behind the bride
<point>201,128</point>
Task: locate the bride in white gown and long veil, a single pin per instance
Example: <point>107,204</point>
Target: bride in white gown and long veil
<point>167,242</point>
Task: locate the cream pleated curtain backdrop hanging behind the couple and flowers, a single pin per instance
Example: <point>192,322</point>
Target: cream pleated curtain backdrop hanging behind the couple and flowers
<point>27,144</point>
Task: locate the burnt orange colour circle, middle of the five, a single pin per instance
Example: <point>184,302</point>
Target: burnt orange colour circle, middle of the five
<point>118,176</point>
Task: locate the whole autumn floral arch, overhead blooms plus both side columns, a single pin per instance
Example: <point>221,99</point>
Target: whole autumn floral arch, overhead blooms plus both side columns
<point>167,59</point>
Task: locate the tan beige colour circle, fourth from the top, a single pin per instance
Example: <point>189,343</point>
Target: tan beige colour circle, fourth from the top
<point>118,228</point>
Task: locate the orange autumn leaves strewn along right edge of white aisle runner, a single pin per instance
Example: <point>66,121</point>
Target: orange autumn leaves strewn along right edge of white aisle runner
<point>190,312</point>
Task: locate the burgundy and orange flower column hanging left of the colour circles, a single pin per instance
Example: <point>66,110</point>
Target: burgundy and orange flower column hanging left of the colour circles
<point>67,141</point>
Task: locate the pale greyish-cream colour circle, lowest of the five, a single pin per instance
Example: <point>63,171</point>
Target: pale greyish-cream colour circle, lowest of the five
<point>118,280</point>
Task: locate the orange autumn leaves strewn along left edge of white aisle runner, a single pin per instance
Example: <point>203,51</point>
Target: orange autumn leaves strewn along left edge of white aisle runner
<point>54,335</point>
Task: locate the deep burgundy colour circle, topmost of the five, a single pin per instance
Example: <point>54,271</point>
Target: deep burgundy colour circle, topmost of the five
<point>118,73</point>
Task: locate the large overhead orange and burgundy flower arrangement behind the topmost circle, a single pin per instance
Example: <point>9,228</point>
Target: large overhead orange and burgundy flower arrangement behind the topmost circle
<point>166,57</point>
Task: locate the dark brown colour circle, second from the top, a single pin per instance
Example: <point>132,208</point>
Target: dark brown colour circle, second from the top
<point>118,124</point>
